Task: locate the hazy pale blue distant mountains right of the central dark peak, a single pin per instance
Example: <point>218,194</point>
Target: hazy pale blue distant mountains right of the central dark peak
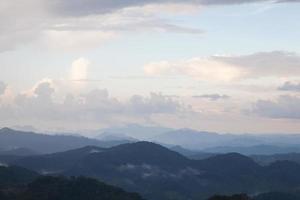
<point>202,140</point>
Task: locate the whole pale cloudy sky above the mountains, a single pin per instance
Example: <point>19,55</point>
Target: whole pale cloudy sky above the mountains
<point>229,66</point>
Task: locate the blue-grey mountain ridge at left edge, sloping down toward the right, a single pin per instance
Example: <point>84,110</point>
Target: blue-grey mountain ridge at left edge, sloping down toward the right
<point>12,139</point>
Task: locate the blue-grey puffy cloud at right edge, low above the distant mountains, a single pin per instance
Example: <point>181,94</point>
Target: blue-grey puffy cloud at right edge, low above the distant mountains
<point>284,107</point>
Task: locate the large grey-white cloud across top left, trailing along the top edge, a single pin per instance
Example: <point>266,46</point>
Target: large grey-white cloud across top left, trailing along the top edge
<point>81,24</point>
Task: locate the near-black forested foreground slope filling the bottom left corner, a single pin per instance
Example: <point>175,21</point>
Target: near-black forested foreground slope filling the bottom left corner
<point>20,184</point>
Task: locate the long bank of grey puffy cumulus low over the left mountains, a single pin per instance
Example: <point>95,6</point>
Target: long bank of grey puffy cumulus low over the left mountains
<point>94,106</point>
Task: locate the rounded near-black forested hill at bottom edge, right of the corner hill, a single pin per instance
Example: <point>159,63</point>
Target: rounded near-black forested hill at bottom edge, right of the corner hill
<point>59,188</point>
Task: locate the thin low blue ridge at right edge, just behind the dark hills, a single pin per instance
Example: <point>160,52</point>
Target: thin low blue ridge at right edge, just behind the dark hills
<point>254,150</point>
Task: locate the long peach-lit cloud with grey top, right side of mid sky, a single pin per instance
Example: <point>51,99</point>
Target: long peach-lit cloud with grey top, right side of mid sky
<point>277,64</point>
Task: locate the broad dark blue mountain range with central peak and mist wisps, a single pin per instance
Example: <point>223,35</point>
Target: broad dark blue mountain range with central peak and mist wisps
<point>161,174</point>
